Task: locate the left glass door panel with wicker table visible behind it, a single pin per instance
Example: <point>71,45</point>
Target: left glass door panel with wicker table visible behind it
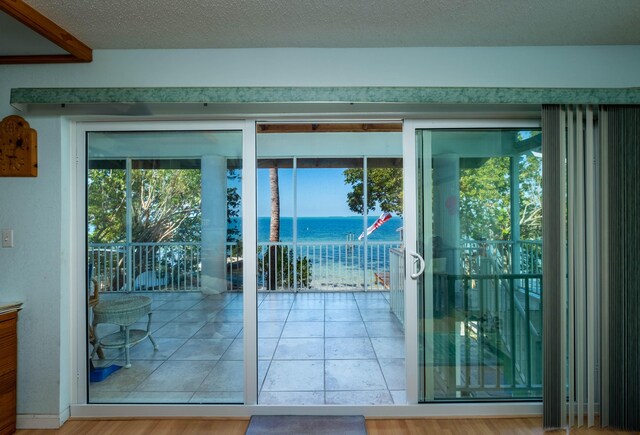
<point>164,233</point>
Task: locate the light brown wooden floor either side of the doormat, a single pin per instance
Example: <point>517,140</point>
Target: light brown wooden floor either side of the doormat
<point>511,426</point>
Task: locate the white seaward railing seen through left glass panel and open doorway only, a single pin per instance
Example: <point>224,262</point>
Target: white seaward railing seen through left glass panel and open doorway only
<point>300,266</point>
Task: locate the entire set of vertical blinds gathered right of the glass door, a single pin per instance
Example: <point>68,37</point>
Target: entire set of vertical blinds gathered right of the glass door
<point>591,276</point>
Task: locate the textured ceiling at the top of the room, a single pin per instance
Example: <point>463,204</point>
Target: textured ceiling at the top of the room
<point>149,24</point>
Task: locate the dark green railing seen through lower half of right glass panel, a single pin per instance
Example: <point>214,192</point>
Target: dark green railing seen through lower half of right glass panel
<point>499,332</point>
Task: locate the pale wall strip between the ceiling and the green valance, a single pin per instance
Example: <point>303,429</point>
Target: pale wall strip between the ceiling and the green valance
<point>507,67</point>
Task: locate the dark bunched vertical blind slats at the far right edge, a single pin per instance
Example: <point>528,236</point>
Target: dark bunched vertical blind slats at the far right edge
<point>622,407</point>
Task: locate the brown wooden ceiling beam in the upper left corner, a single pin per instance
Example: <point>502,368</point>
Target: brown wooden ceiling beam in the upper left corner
<point>78,51</point>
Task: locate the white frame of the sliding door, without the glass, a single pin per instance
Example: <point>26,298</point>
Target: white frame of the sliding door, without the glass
<point>78,387</point>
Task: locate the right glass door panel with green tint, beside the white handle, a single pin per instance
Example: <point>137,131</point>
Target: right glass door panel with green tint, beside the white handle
<point>479,198</point>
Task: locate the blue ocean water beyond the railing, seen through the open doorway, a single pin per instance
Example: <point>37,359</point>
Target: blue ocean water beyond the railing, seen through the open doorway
<point>330,229</point>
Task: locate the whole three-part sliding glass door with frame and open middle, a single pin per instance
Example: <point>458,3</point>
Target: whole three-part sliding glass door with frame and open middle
<point>186,304</point>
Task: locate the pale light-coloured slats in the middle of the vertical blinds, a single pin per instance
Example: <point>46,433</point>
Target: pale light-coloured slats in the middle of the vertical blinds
<point>583,264</point>
